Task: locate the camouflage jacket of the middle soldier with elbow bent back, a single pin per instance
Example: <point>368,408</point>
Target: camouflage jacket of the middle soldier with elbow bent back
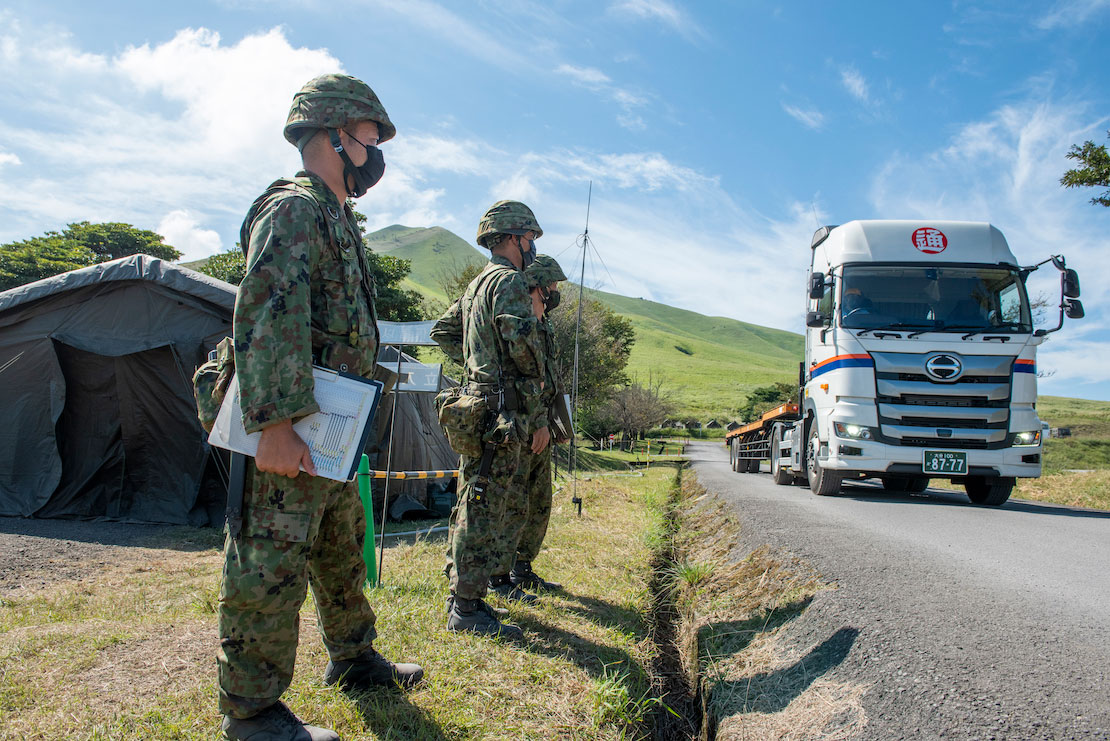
<point>492,332</point>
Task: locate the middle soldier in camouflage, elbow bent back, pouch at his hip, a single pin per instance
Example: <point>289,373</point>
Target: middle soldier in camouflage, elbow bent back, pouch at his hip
<point>491,331</point>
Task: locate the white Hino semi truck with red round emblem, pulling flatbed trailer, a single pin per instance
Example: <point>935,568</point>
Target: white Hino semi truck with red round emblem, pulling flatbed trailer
<point>921,363</point>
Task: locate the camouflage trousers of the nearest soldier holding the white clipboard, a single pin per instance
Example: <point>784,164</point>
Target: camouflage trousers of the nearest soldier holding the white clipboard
<point>298,533</point>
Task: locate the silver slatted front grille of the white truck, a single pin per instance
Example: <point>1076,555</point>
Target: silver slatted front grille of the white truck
<point>973,412</point>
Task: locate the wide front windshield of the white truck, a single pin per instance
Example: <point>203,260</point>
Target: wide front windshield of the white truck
<point>935,299</point>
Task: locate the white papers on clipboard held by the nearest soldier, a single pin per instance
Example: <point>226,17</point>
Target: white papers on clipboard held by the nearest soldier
<point>336,435</point>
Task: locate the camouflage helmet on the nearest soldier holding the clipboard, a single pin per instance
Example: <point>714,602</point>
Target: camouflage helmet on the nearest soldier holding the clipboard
<point>334,101</point>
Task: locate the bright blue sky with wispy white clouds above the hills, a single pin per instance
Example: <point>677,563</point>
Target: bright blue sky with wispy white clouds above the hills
<point>718,135</point>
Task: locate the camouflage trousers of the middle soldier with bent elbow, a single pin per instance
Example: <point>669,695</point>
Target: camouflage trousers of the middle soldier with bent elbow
<point>482,535</point>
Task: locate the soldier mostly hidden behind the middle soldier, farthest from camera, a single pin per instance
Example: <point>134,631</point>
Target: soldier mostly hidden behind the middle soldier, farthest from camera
<point>542,278</point>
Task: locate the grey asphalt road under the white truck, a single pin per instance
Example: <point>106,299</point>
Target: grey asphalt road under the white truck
<point>974,623</point>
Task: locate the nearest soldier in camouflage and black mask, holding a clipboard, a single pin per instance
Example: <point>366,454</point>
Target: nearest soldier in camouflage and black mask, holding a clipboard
<point>307,296</point>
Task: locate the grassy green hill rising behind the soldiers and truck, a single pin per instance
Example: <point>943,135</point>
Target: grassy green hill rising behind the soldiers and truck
<point>708,363</point>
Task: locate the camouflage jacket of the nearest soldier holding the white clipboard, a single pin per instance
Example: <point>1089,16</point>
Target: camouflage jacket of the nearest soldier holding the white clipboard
<point>308,292</point>
